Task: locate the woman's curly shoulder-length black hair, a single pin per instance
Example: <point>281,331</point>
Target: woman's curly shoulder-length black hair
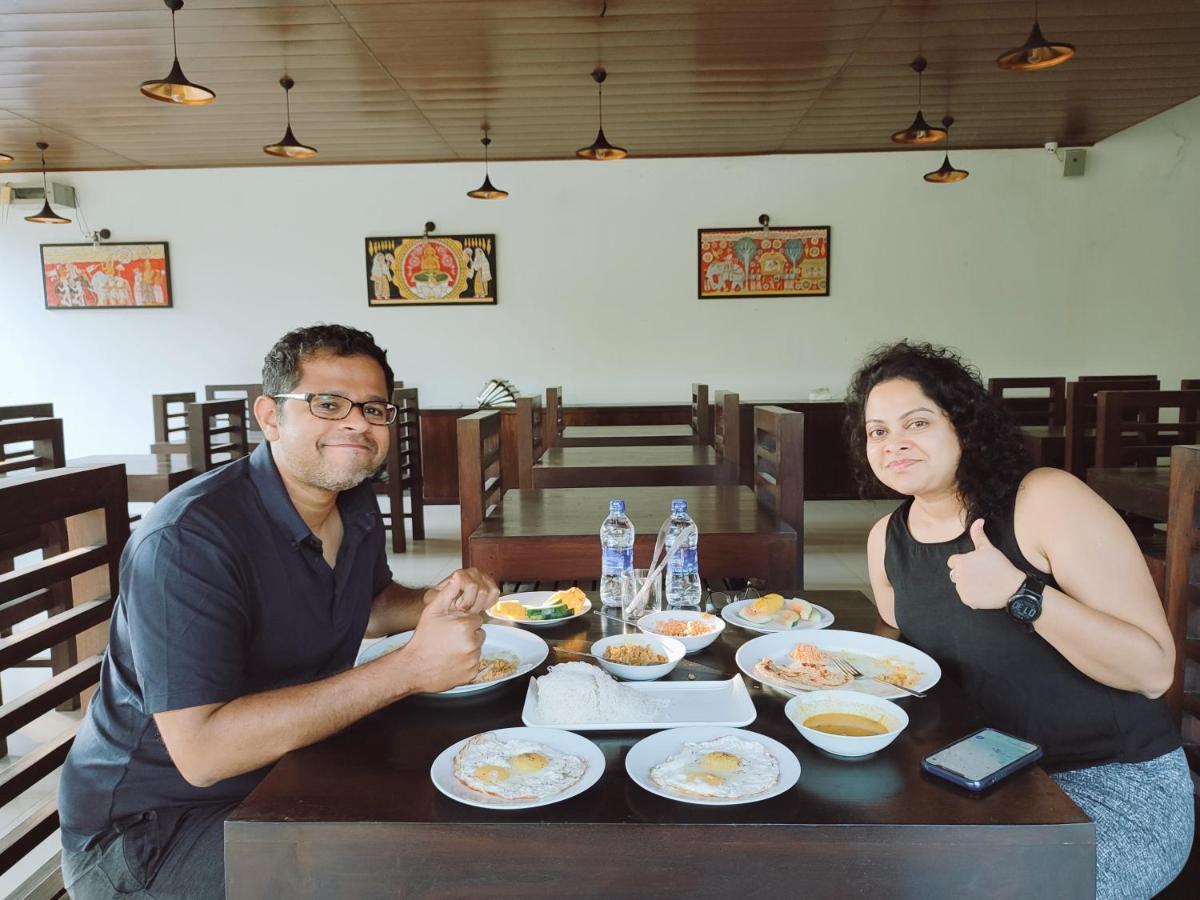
<point>994,458</point>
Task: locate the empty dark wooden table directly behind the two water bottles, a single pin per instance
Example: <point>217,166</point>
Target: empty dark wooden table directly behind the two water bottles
<point>554,535</point>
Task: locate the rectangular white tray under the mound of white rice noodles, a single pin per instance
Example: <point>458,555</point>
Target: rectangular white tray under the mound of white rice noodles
<point>727,703</point>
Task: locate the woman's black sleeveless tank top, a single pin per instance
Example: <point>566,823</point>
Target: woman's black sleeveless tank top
<point>1023,685</point>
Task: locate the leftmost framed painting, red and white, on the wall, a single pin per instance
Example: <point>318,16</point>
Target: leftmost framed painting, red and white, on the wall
<point>106,277</point>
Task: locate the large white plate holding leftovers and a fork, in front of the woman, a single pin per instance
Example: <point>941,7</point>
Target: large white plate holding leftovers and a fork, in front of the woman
<point>863,651</point>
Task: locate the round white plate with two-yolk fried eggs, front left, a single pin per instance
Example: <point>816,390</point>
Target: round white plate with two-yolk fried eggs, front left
<point>518,769</point>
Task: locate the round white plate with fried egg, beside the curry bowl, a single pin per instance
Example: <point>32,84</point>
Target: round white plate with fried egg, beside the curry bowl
<point>713,766</point>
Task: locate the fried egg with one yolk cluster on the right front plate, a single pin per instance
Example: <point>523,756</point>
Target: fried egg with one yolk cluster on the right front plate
<point>725,769</point>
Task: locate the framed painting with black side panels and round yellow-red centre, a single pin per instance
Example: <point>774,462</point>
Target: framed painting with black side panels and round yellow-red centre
<point>431,271</point>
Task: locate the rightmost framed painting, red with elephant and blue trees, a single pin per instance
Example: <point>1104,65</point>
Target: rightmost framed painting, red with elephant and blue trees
<point>739,263</point>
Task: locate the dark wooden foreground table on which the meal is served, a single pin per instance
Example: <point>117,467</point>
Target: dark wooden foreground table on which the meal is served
<point>358,815</point>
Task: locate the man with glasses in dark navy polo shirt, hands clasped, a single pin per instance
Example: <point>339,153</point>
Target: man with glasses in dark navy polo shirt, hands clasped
<point>244,598</point>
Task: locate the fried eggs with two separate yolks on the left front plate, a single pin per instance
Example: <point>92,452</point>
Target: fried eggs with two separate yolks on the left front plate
<point>517,770</point>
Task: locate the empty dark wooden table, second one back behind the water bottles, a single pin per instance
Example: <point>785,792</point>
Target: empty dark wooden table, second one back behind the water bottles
<point>627,466</point>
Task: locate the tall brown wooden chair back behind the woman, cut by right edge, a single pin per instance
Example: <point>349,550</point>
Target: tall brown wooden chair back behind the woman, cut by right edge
<point>1183,593</point>
